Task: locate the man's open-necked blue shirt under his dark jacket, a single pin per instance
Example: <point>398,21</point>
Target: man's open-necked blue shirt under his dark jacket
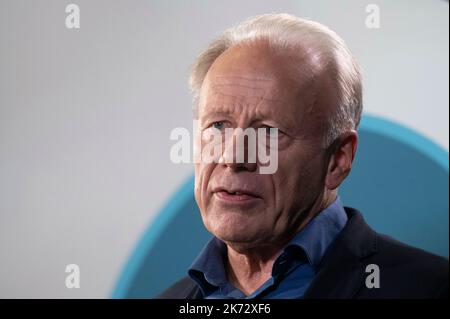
<point>292,271</point>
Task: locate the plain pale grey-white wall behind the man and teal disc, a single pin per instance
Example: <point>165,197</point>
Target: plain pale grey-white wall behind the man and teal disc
<point>85,116</point>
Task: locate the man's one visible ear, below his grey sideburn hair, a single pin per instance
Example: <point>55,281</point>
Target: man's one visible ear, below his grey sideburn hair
<point>340,163</point>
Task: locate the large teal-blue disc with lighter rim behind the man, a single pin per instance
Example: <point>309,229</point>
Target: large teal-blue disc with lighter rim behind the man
<point>418,191</point>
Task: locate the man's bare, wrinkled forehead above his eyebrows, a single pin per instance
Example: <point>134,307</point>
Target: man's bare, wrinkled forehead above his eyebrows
<point>259,80</point>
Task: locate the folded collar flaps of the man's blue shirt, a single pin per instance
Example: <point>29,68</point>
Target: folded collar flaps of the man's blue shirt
<point>208,269</point>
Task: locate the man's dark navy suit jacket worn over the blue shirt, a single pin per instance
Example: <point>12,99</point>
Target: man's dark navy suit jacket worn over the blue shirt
<point>405,271</point>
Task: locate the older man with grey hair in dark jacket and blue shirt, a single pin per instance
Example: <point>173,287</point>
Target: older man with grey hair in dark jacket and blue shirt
<point>286,234</point>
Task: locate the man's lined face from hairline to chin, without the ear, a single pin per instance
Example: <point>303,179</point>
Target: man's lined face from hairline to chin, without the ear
<point>252,87</point>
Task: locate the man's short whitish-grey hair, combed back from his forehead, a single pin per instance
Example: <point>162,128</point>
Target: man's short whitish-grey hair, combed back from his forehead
<point>287,31</point>
